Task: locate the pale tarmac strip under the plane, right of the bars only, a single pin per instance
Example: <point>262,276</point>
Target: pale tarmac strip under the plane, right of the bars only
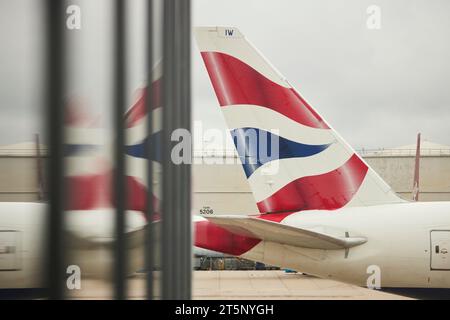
<point>276,285</point>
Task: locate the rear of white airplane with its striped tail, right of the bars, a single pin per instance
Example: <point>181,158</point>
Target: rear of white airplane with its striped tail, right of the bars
<point>323,210</point>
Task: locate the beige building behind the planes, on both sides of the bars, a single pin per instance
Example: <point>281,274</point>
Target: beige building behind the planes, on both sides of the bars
<point>219,183</point>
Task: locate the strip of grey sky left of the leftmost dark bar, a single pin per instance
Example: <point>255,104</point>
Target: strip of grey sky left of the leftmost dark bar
<point>20,65</point>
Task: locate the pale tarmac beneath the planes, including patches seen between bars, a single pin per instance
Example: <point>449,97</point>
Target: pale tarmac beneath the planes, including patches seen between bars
<point>252,285</point>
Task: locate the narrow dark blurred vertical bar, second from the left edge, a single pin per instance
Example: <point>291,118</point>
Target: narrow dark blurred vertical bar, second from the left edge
<point>119,152</point>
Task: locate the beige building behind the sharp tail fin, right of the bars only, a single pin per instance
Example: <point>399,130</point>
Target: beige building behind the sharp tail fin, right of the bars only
<point>223,188</point>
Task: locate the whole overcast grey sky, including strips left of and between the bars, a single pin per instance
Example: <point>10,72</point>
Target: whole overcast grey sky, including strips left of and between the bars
<point>377,88</point>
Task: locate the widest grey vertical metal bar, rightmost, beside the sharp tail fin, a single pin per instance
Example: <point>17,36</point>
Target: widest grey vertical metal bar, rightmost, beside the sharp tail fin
<point>176,183</point>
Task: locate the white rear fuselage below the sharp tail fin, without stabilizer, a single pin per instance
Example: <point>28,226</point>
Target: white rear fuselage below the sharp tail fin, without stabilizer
<point>398,243</point>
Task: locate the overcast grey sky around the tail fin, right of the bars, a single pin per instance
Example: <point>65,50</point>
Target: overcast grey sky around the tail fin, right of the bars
<point>378,88</point>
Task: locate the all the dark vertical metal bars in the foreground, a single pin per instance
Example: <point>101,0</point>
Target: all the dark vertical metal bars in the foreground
<point>175,217</point>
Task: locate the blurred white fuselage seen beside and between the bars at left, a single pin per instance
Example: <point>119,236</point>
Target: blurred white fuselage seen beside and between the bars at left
<point>90,236</point>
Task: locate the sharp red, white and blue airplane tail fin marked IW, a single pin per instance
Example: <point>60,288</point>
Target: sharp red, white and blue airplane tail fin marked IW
<point>291,156</point>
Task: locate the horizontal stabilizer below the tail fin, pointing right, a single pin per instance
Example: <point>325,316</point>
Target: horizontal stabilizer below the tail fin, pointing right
<point>284,234</point>
